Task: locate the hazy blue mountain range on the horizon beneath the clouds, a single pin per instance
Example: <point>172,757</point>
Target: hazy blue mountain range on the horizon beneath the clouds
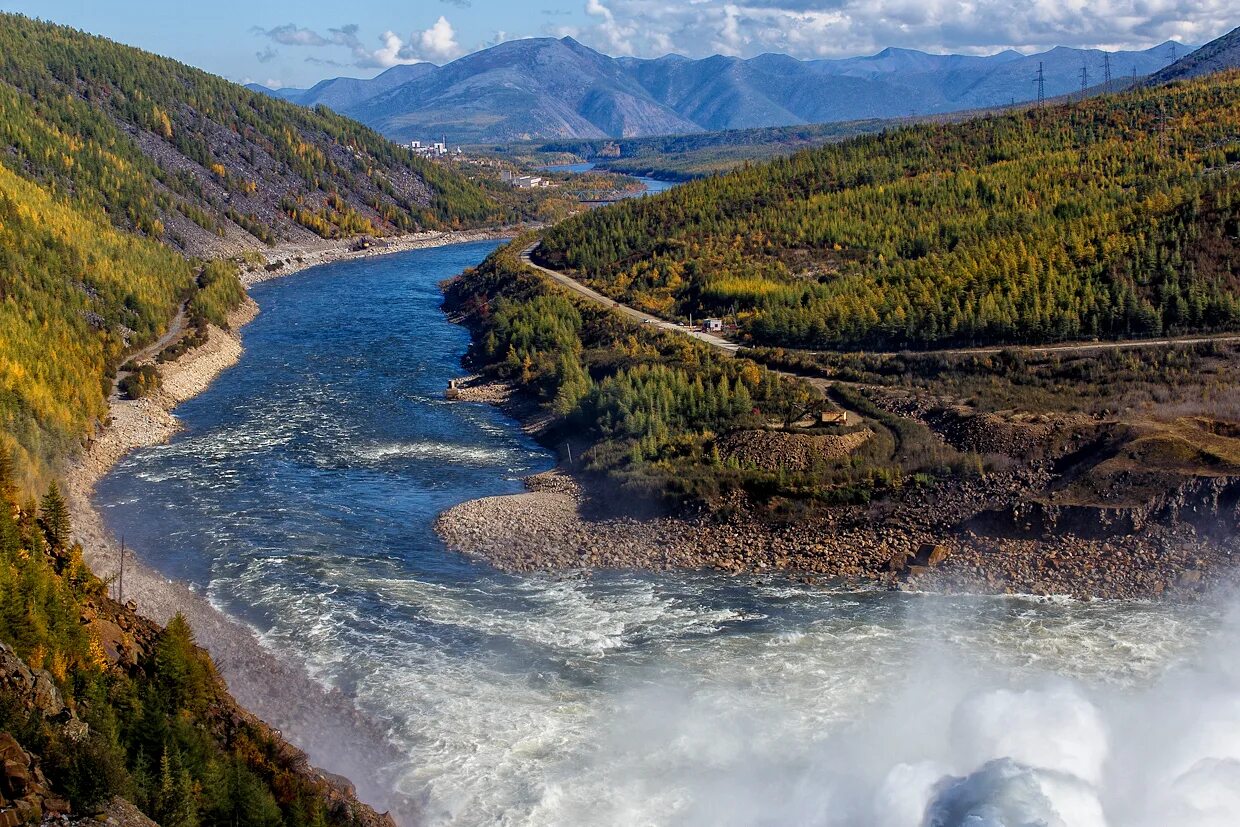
<point>549,89</point>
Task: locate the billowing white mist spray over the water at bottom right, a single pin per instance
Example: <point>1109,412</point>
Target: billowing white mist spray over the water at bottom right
<point>958,747</point>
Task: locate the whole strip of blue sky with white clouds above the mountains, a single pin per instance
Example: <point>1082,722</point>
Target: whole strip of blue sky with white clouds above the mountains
<point>298,43</point>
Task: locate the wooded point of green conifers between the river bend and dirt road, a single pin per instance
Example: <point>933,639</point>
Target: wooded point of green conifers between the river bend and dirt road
<point>642,406</point>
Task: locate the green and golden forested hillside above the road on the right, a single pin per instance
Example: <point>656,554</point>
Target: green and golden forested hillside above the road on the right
<point>1113,218</point>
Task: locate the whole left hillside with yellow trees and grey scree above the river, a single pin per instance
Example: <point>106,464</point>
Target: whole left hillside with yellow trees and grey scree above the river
<point>112,162</point>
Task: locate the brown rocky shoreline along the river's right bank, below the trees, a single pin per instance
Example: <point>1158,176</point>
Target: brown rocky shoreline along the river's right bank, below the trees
<point>917,541</point>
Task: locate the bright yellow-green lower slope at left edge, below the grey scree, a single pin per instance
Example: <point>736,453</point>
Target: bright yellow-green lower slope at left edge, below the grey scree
<point>75,294</point>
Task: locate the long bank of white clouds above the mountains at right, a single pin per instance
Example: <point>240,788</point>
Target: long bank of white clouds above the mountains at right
<point>846,28</point>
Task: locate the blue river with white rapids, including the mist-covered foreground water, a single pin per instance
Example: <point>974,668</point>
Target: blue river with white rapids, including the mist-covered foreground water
<point>301,499</point>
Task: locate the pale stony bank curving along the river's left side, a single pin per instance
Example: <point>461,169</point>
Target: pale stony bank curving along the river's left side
<point>324,723</point>
